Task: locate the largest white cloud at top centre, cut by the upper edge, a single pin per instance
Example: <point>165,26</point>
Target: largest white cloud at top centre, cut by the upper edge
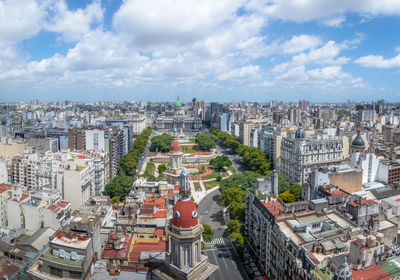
<point>153,22</point>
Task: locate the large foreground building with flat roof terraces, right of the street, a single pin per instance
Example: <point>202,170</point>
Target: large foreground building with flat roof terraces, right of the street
<point>290,241</point>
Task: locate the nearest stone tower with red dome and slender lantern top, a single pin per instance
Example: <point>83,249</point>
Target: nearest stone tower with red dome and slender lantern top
<point>184,231</point>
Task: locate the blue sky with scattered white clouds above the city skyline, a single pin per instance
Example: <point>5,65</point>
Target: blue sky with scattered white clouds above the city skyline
<point>225,50</point>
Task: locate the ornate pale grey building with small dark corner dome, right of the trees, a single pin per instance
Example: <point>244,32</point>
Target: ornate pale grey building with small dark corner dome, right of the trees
<point>300,155</point>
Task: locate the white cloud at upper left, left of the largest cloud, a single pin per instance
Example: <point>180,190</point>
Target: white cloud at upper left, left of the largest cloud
<point>74,24</point>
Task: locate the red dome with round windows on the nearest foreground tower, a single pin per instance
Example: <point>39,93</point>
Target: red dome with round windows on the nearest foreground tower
<point>185,214</point>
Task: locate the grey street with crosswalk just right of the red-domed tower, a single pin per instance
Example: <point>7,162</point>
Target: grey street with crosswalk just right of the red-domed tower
<point>220,252</point>
